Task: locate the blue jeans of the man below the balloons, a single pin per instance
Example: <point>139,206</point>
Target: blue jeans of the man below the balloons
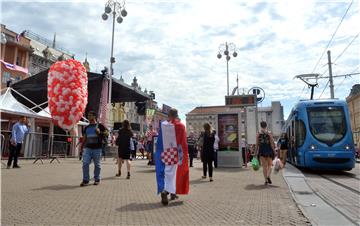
<point>94,154</point>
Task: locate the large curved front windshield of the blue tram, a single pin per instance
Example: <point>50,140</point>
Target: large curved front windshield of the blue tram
<point>327,124</point>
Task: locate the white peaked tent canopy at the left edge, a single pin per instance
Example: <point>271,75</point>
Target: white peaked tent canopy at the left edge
<point>8,104</point>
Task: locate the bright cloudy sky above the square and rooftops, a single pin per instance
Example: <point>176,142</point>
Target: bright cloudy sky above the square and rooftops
<point>171,46</point>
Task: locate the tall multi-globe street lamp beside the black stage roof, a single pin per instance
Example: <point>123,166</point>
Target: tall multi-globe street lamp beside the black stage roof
<point>118,11</point>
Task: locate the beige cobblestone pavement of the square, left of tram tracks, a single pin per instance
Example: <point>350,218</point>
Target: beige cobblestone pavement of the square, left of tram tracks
<point>49,194</point>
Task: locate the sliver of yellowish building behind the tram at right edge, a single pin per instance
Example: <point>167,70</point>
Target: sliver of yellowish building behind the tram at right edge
<point>353,101</point>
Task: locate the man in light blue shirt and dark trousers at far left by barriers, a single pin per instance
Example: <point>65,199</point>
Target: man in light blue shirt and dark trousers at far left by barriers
<point>19,130</point>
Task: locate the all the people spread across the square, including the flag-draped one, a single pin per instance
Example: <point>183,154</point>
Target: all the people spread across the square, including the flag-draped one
<point>174,155</point>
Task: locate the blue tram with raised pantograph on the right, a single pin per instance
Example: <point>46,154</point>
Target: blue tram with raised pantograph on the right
<point>320,135</point>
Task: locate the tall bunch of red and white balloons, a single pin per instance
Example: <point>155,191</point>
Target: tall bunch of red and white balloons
<point>67,92</point>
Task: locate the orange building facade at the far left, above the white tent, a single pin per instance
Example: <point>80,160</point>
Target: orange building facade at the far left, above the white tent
<point>15,53</point>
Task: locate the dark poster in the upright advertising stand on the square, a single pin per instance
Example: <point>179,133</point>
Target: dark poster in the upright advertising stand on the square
<point>228,132</point>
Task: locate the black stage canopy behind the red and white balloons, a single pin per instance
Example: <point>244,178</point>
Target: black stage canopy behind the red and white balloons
<point>35,88</point>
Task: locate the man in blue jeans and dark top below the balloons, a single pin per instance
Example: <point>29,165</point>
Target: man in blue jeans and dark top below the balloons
<point>91,147</point>
